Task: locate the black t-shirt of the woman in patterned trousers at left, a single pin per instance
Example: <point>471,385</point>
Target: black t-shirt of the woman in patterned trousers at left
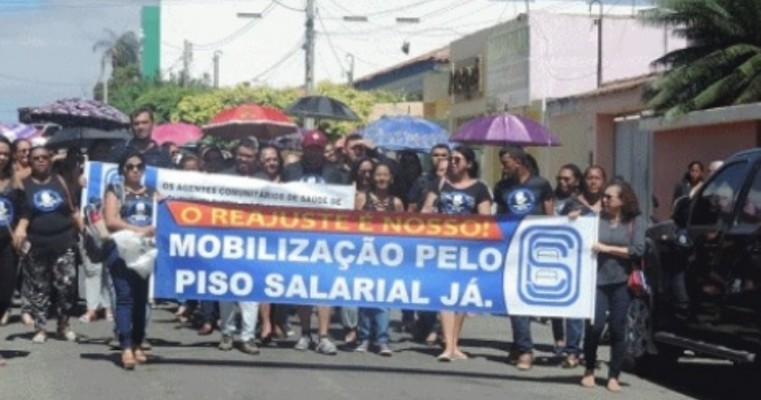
<point>50,222</point>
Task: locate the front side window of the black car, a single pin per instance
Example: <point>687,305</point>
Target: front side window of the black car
<point>715,202</point>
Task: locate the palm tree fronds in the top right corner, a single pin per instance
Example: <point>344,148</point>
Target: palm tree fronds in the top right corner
<point>721,64</point>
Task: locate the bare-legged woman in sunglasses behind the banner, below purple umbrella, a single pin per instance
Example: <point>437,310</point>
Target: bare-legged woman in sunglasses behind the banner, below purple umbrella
<point>461,193</point>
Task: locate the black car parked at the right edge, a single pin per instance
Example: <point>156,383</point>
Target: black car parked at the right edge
<point>704,269</point>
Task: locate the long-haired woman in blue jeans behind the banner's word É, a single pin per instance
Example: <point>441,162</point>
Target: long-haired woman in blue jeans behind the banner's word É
<point>378,198</point>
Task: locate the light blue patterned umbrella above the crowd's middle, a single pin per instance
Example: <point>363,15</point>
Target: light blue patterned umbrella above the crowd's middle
<point>405,133</point>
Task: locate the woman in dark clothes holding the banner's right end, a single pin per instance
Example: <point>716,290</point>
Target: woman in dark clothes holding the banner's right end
<point>621,242</point>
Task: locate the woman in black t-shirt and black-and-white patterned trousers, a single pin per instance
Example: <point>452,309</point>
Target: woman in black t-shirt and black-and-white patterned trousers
<point>51,226</point>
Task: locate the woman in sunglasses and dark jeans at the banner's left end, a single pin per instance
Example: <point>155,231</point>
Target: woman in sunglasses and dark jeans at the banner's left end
<point>129,206</point>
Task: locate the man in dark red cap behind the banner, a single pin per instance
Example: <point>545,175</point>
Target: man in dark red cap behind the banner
<point>313,168</point>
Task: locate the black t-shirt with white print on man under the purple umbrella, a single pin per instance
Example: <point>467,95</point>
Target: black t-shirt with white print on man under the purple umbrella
<point>515,198</point>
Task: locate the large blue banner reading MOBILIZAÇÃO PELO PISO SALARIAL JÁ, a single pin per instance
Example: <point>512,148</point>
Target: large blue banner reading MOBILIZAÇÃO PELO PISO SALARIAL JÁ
<point>534,266</point>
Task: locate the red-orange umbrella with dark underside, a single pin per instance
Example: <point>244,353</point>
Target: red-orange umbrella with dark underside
<point>262,122</point>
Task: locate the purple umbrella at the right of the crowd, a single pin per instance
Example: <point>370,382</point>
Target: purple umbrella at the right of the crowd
<point>505,129</point>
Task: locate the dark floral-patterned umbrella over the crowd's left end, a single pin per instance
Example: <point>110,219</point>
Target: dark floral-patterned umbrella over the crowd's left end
<point>75,112</point>
